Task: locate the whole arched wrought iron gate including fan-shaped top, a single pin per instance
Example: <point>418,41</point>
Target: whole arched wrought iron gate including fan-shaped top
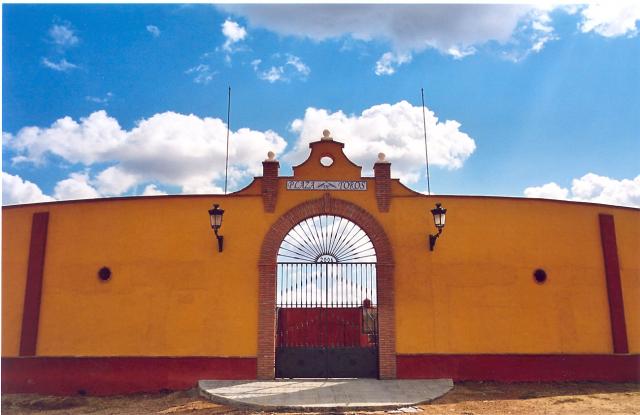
<point>327,323</point>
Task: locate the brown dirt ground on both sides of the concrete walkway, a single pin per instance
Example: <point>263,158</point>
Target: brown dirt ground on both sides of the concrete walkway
<point>467,398</point>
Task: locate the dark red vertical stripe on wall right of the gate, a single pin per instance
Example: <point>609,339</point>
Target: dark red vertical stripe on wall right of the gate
<point>614,285</point>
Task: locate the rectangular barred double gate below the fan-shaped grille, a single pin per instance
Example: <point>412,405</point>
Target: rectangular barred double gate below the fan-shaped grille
<point>327,323</point>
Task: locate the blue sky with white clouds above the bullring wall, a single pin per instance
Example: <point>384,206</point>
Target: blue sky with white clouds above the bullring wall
<point>117,100</point>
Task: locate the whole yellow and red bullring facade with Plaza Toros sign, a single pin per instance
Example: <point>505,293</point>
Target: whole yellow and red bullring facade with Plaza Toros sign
<point>322,274</point>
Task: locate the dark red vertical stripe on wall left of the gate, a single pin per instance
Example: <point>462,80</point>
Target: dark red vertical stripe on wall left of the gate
<point>33,290</point>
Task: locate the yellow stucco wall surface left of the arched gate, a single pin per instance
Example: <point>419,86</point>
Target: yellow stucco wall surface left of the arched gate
<point>171,293</point>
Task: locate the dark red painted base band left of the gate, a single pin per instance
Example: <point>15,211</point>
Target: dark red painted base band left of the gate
<point>117,375</point>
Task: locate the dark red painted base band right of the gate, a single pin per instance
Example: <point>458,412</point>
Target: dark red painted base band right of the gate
<point>521,368</point>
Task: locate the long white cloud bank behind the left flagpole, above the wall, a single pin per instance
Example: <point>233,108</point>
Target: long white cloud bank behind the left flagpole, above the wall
<point>168,148</point>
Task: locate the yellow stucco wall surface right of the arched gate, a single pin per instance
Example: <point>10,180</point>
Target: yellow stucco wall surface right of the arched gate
<point>476,292</point>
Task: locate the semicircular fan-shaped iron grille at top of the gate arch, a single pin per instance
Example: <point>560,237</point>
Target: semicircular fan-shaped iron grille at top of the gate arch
<point>326,238</point>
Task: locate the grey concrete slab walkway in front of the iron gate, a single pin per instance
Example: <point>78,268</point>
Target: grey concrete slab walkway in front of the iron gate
<point>323,394</point>
